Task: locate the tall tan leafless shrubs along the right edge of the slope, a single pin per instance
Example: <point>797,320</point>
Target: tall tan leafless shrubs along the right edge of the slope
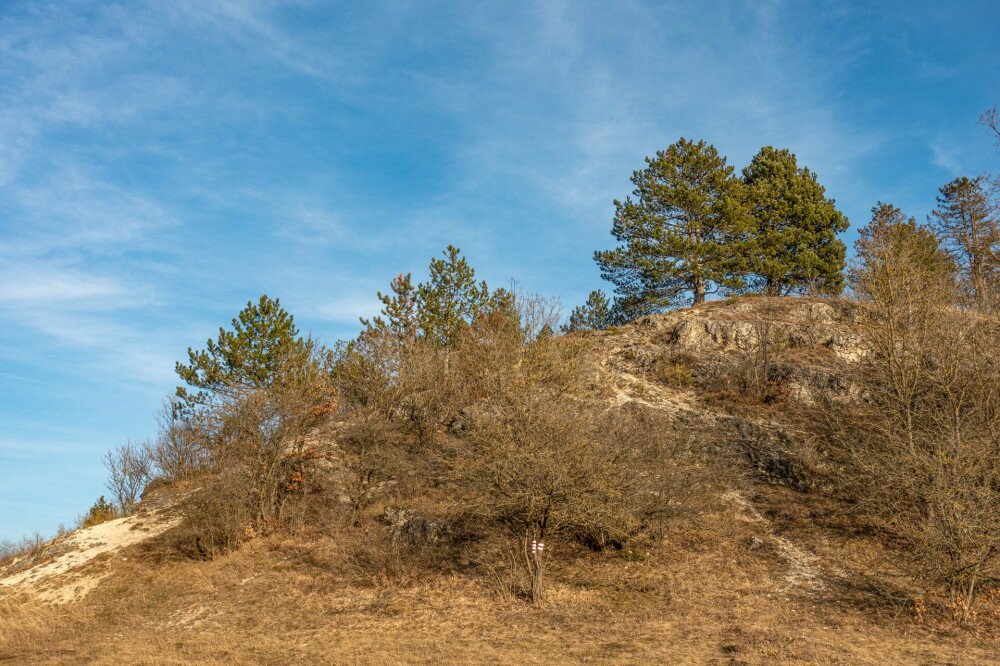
<point>924,443</point>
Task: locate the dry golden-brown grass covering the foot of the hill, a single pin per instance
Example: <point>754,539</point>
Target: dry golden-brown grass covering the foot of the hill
<point>703,593</point>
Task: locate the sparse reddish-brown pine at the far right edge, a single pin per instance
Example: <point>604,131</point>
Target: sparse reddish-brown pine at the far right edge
<point>968,224</point>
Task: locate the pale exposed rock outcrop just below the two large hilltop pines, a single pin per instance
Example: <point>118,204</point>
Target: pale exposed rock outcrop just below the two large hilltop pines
<point>810,345</point>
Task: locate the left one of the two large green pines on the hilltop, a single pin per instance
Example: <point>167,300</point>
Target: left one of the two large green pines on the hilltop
<point>682,233</point>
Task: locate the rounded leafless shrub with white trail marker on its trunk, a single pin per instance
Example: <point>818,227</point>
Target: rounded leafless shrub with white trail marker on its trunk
<point>539,462</point>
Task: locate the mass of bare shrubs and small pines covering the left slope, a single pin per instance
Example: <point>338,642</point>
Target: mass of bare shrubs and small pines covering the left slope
<point>455,423</point>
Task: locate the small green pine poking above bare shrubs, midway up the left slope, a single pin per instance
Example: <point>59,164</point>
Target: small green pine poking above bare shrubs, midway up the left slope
<point>451,298</point>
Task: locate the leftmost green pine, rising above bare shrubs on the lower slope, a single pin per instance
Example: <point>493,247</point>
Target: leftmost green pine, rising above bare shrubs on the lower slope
<point>262,335</point>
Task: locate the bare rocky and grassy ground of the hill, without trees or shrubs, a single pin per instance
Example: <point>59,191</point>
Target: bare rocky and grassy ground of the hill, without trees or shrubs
<point>775,570</point>
